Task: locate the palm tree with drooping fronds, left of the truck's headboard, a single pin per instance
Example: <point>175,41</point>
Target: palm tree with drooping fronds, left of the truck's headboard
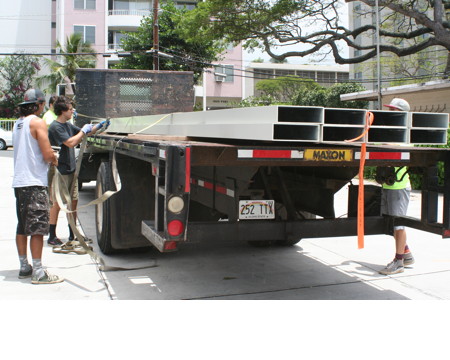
<point>64,72</point>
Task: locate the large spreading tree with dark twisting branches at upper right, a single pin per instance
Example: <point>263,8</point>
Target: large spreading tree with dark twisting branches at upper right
<point>316,26</point>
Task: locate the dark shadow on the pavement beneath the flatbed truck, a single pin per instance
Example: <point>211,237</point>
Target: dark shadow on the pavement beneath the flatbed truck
<point>228,270</point>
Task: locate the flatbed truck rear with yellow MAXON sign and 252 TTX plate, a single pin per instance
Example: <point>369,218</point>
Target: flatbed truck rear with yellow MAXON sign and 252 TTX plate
<point>180,189</point>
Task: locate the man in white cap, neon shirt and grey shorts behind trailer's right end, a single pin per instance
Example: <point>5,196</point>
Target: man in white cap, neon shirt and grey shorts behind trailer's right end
<point>395,201</point>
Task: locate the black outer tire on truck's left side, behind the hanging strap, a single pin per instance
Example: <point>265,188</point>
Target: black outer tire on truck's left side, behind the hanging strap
<point>103,211</point>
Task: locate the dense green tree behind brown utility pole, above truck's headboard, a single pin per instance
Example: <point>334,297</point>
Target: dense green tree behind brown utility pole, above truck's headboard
<point>189,54</point>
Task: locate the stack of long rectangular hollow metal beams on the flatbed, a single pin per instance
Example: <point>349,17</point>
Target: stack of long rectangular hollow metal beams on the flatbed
<point>293,124</point>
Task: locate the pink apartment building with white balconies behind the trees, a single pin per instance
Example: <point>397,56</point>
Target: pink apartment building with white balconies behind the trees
<point>103,23</point>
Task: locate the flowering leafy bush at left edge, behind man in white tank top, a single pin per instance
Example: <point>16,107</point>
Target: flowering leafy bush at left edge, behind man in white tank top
<point>16,77</point>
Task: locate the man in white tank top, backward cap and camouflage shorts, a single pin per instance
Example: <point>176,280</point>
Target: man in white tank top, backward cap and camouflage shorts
<point>32,156</point>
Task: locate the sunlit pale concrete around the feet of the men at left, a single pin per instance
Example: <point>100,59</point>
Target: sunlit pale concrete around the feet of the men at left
<point>82,279</point>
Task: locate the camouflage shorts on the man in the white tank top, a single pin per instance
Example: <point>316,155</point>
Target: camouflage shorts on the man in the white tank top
<point>32,208</point>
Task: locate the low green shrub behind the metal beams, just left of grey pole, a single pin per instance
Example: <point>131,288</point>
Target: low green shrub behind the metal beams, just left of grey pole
<point>330,97</point>
